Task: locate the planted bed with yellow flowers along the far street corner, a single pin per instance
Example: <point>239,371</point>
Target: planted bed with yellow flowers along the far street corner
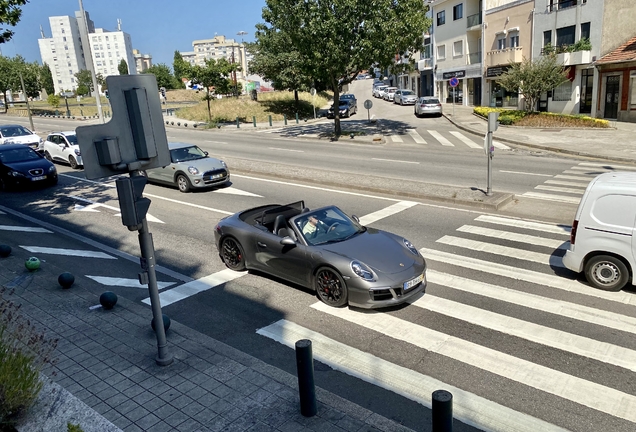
<point>542,119</point>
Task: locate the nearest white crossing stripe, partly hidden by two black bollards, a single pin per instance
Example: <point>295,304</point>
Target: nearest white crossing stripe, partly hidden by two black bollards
<point>468,407</point>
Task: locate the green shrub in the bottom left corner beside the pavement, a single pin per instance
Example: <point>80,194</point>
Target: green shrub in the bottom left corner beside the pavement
<point>24,351</point>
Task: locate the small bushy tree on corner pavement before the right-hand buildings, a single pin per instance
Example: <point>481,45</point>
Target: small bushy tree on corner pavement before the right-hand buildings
<point>531,78</point>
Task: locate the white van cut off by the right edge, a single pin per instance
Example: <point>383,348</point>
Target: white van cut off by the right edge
<point>602,242</point>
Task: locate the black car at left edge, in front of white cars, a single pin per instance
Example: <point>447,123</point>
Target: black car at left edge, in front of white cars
<point>20,165</point>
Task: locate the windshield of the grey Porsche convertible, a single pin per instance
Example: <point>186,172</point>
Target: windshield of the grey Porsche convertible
<point>327,225</point>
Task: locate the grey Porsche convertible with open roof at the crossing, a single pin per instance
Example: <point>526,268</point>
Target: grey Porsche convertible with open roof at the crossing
<point>324,250</point>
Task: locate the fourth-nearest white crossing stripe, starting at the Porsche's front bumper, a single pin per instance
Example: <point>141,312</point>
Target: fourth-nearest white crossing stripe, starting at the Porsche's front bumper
<point>558,307</point>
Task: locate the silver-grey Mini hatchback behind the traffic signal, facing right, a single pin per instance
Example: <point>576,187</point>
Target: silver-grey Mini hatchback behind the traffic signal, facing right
<point>191,168</point>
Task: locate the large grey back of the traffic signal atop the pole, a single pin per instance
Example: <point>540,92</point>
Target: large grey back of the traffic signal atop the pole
<point>135,137</point>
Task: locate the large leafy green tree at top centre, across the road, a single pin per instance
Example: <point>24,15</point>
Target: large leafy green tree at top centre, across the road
<point>336,39</point>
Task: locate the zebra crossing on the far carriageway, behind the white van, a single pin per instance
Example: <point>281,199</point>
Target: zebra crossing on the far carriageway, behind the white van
<point>569,186</point>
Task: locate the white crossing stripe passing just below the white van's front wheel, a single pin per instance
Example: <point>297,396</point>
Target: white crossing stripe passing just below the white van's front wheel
<point>517,273</point>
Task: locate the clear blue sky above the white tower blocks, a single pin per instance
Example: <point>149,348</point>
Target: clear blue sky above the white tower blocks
<point>157,27</point>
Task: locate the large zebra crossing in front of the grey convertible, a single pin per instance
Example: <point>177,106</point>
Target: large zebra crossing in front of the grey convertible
<point>515,275</point>
